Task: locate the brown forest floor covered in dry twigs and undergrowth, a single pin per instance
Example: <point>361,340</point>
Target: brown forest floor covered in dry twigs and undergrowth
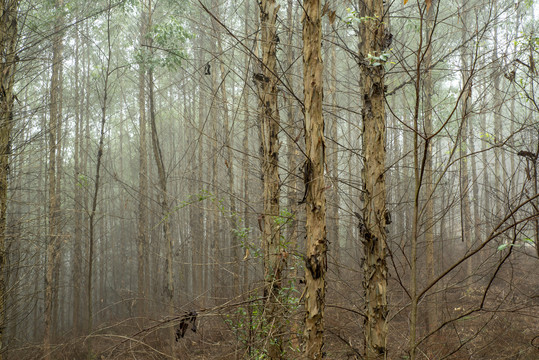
<point>506,326</point>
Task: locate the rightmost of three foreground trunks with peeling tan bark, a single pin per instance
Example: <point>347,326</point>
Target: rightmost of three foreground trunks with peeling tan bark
<point>375,215</point>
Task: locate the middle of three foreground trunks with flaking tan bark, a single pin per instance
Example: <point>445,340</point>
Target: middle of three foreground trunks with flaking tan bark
<point>315,187</point>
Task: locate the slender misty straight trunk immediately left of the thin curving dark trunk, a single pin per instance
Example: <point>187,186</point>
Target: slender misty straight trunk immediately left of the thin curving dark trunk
<point>142,221</point>
